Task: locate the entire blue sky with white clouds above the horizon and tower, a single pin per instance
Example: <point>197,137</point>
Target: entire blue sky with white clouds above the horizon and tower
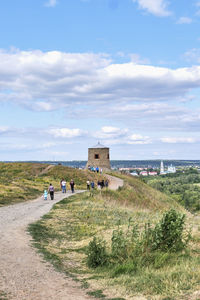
<point>122,72</point>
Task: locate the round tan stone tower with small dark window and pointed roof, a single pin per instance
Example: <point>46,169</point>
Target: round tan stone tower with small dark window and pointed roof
<point>98,156</point>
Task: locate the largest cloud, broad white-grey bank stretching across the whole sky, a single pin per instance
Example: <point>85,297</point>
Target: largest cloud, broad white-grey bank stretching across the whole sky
<point>45,81</point>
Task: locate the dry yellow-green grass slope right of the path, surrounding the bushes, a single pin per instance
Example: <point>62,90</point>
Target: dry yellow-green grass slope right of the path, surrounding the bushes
<point>65,233</point>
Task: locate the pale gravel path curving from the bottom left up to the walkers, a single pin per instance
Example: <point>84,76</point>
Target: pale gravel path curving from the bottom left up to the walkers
<point>23,273</point>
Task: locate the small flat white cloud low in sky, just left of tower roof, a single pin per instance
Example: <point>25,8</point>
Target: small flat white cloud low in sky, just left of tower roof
<point>66,132</point>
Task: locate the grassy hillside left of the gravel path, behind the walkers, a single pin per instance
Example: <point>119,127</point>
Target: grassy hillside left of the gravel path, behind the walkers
<point>23,181</point>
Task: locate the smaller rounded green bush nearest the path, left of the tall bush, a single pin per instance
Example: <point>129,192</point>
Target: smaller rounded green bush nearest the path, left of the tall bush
<point>96,253</point>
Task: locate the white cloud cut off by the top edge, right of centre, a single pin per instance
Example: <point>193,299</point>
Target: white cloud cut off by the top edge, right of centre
<point>155,7</point>
